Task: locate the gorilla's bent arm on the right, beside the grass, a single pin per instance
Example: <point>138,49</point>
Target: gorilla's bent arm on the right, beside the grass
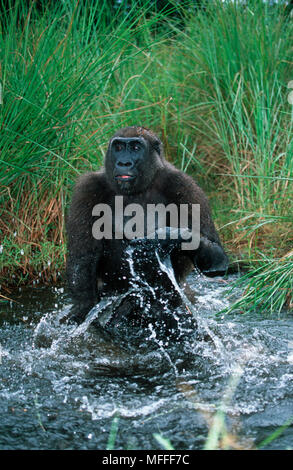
<point>210,257</point>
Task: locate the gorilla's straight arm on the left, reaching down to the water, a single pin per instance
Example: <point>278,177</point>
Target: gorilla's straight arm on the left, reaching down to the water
<point>84,251</point>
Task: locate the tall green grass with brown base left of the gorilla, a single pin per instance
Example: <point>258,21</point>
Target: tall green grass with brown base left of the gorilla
<point>66,76</point>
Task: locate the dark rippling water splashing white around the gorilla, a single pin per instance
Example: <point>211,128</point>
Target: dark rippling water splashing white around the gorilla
<point>62,385</point>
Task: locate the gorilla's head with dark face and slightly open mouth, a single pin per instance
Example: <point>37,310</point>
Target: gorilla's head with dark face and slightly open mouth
<point>132,160</point>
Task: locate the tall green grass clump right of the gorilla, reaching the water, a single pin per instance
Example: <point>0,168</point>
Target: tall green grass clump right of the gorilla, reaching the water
<point>242,62</point>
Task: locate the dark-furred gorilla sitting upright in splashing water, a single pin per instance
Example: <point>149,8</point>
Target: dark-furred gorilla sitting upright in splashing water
<point>97,266</point>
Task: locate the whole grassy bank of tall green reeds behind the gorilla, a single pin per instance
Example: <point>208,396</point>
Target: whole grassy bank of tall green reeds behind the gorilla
<point>212,84</point>
